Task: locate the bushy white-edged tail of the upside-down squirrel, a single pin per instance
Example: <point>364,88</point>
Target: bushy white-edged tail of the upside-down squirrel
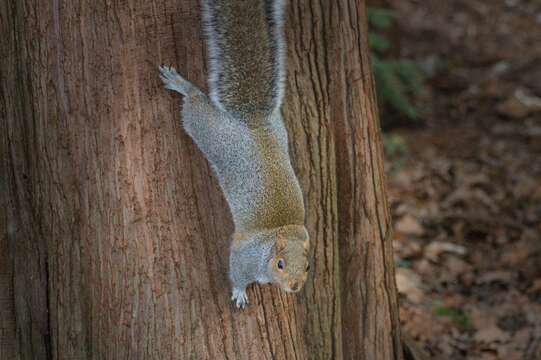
<point>246,48</point>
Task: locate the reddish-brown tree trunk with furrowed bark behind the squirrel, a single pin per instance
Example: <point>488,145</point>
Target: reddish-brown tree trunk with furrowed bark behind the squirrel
<point>116,236</point>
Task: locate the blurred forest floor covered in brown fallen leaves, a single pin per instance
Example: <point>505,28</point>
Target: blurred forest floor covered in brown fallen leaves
<point>465,189</point>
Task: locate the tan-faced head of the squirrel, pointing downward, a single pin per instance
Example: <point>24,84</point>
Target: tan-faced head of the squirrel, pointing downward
<point>288,265</point>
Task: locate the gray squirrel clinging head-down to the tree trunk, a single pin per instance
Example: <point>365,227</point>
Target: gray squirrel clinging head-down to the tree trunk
<point>239,129</point>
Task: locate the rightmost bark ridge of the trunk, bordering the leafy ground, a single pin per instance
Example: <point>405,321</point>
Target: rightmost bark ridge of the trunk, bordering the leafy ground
<point>367,216</point>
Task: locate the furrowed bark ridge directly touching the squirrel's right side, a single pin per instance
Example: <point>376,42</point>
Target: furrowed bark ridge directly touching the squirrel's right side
<point>308,117</point>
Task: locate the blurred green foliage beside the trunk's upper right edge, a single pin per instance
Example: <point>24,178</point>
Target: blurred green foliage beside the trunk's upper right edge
<point>397,80</point>
